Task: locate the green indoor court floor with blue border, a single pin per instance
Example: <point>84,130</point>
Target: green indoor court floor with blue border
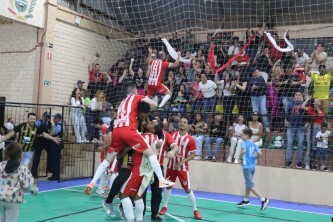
<point>64,202</point>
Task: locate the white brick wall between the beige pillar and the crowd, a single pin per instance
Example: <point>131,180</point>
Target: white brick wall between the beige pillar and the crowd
<point>74,48</point>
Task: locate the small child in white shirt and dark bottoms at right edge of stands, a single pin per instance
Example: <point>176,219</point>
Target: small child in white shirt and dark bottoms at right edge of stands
<point>322,147</point>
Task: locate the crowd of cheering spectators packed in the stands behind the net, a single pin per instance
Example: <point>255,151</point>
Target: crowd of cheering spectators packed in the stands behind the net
<point>263,89</point>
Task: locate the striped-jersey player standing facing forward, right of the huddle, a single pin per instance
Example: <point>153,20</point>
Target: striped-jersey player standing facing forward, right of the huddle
<point>178,166</point>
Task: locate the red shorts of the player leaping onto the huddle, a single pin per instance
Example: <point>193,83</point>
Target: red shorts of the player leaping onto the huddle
<point>127,136</point>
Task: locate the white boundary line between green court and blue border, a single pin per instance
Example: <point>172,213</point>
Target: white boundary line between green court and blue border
<point>177,195</point>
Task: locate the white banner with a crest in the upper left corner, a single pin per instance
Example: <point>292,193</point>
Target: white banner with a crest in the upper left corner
<point>27,11</point>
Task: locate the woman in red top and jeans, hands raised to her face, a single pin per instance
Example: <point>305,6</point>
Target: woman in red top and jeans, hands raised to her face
<point>316,117</point>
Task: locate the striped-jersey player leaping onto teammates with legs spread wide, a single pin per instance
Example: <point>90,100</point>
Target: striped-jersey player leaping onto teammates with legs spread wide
<point>125,133</point>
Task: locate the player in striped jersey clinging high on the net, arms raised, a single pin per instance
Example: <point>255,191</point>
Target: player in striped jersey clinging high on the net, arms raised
<point>157,70</point>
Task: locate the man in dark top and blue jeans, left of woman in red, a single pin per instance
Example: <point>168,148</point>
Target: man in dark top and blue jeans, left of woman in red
<point>295,122</point>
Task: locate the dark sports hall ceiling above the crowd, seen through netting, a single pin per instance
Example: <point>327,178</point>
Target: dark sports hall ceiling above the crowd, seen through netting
<point>171,15</point>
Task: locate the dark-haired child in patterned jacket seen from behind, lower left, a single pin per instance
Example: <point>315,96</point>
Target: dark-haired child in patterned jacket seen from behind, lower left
<point>14,180</point>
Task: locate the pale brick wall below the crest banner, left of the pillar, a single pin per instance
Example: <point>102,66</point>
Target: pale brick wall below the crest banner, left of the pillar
<point>17,70</point>
